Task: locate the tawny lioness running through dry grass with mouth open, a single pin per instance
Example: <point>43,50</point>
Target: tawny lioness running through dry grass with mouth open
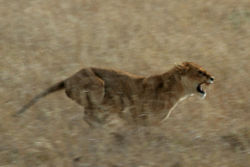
<point>137,99</point>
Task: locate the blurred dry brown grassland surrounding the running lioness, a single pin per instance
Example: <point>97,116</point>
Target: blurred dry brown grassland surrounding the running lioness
<point>45,41</point>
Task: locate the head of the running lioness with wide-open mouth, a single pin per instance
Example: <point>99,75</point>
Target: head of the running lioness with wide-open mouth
<point>194,78</point>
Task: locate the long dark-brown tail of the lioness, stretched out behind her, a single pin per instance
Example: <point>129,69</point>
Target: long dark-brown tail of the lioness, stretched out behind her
<point>51,89</point>
